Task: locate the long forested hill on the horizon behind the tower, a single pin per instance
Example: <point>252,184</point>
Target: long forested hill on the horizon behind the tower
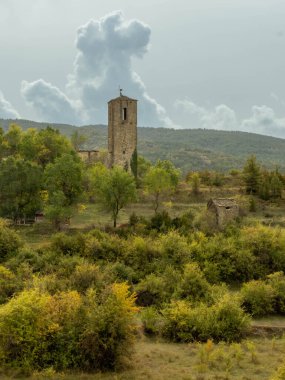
<point>191,149</point>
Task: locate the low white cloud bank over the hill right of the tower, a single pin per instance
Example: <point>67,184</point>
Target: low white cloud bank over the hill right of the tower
<point>262,119</point>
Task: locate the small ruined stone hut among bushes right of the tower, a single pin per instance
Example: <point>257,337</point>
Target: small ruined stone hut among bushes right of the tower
<point>225,210</point>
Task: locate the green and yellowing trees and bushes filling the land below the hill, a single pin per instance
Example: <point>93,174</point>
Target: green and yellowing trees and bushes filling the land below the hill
<point>76,298</point>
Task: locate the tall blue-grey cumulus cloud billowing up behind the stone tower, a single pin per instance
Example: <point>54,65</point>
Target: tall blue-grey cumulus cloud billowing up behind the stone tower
<point>103,62</point>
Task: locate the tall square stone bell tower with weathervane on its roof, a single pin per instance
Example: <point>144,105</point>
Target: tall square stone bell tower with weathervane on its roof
<point>122,132</point>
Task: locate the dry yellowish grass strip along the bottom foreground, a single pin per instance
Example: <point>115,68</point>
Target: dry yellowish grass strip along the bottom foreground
<point>255,359</point>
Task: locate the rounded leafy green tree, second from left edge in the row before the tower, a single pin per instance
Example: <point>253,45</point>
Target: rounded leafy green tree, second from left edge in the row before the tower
<point>63,180</point>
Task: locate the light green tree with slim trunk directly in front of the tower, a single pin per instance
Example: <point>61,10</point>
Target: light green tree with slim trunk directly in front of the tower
<point>115,188</point>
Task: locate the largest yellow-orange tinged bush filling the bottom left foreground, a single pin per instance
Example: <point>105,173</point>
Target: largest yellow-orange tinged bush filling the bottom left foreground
<point>67,330</point>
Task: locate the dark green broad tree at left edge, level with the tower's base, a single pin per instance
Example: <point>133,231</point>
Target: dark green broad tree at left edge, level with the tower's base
<point>20,186</point>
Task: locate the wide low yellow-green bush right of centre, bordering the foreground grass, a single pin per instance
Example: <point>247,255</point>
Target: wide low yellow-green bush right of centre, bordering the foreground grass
<point>223,321</point>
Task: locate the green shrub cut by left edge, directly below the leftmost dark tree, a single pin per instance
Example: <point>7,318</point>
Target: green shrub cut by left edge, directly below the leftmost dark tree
<point>10,241</point>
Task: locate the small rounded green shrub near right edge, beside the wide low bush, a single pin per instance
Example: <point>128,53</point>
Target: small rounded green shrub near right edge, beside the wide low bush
<point>258,298</point>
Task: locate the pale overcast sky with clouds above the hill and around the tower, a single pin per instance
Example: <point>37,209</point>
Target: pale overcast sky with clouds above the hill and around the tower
<point>215,64</point>
